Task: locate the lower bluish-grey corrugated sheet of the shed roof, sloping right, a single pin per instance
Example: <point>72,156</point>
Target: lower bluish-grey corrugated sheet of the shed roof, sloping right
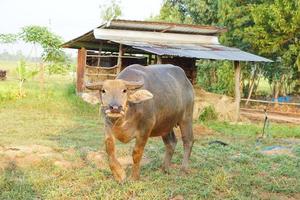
<point>216,52</point>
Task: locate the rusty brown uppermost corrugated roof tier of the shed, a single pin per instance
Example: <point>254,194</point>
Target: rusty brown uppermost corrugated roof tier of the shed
<point>163,27</point>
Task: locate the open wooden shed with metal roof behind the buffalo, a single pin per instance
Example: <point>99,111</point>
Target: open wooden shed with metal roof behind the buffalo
<point>109,48</point>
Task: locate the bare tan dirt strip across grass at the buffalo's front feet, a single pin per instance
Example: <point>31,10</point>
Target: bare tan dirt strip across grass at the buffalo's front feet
<point>25,156</point>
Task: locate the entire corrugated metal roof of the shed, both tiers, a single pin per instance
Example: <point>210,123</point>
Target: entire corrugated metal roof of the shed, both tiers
<point>206,48</point>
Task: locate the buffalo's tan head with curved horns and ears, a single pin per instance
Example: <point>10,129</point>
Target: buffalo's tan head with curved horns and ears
<point>115,95</point>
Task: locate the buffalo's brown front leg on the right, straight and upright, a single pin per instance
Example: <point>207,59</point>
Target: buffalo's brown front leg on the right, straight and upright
<point>137,156</point>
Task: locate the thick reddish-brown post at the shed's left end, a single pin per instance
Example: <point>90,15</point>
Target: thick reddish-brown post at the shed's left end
<point>81,62</point>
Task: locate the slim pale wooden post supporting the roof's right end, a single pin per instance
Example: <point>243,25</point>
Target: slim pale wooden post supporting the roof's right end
<point>237,91</point>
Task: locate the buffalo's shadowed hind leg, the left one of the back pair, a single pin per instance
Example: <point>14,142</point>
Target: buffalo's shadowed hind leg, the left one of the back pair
<point>170,142</point>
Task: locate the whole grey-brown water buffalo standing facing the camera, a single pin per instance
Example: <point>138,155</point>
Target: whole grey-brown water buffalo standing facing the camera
<point>143,102</point>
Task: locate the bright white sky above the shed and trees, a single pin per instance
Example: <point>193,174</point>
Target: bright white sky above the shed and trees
<point>67,18</point>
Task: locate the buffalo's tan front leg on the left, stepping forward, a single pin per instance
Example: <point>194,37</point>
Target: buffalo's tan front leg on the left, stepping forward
<point>114,164</point>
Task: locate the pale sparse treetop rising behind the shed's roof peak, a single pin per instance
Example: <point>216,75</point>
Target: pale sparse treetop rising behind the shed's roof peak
<point>110,10</point>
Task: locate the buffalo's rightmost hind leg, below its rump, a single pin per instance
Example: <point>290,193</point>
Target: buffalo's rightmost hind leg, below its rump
<point>186,129</point>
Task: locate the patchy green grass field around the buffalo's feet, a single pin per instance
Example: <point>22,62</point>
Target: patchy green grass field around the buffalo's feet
<point>51,147</point>
